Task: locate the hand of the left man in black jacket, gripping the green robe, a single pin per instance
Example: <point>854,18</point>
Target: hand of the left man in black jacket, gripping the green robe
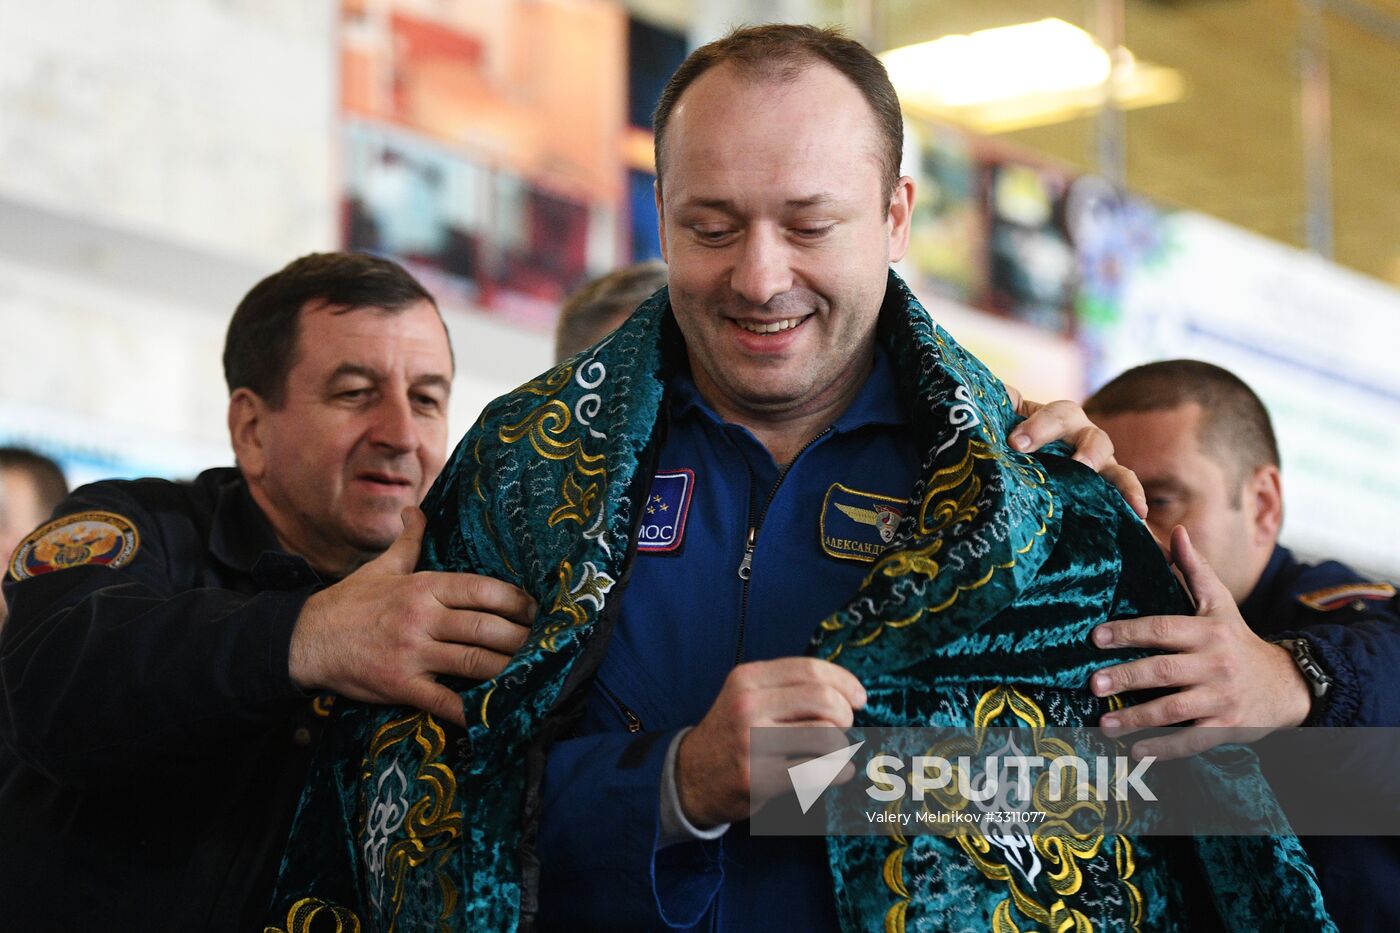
<point>384,633</point>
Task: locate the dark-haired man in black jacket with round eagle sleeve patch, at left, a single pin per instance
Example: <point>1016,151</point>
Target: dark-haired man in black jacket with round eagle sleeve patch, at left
<point>170,645</point>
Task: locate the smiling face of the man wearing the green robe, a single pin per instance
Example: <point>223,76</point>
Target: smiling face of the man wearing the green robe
<point>778,237</point>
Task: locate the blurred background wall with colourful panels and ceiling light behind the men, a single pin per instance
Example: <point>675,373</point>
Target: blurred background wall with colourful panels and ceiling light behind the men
<point>1101,183</point>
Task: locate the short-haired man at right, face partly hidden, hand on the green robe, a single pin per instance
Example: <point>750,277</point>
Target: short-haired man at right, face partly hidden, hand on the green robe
<point>1312,645</point>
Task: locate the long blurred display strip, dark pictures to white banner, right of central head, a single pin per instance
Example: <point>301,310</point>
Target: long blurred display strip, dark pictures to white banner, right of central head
<point>1080,281</point>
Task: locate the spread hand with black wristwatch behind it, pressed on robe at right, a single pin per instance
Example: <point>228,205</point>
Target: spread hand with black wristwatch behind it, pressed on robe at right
<point>1221,673</point>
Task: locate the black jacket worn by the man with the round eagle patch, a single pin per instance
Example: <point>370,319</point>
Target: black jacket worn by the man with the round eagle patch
<point>152,743</point>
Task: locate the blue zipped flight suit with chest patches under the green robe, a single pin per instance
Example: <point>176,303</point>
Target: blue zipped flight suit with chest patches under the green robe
<point>687,620</point>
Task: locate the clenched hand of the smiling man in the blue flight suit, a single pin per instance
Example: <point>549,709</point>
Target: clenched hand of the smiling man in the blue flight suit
<point>715,781</point>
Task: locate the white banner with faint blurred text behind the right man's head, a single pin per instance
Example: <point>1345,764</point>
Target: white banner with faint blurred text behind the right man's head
<point>1314,340</point>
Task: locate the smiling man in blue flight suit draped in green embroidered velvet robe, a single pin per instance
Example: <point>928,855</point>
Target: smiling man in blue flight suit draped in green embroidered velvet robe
<point>695,504</point>
